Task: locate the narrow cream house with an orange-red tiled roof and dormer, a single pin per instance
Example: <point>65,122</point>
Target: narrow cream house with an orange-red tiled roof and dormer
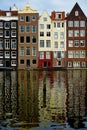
<point>58,38</point>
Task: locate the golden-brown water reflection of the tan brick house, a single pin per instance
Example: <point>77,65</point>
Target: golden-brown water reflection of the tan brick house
<point>28,96</point>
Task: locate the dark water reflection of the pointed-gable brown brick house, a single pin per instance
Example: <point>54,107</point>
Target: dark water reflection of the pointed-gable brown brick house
<point>76,97</point>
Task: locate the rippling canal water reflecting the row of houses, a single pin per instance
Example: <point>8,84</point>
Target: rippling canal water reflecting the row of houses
<point>31,100</point>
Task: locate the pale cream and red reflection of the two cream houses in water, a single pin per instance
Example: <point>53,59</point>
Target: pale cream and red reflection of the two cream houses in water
<point>52,96</point>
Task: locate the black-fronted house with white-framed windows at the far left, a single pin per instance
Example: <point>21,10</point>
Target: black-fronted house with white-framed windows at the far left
<point>8,38</point>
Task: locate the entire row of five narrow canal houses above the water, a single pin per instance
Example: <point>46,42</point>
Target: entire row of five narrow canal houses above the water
<point>28,40</point>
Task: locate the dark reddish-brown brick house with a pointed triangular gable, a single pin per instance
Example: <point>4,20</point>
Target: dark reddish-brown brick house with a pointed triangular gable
<point>76,38</point>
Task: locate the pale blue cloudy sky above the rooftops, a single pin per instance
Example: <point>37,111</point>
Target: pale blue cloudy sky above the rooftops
<point>41,5</point>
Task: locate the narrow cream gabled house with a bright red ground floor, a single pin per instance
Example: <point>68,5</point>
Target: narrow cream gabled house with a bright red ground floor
<point>45,41</point>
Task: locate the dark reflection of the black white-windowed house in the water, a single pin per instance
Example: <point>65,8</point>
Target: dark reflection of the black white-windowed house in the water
<point>8,94</point>
